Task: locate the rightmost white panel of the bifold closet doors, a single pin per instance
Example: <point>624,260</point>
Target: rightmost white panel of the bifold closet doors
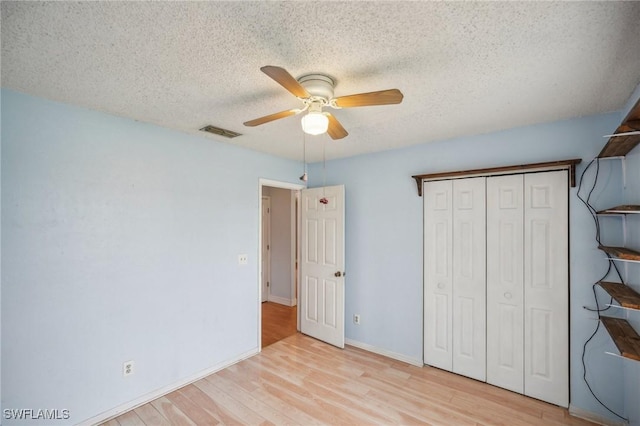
<point>546,281</point>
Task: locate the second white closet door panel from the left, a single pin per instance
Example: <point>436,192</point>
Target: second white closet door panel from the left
<point>469,278</point>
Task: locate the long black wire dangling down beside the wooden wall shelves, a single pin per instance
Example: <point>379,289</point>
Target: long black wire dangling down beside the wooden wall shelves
<point>594,213</point>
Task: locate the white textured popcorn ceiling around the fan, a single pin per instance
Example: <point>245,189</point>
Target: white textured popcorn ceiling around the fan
<point>464,67</point>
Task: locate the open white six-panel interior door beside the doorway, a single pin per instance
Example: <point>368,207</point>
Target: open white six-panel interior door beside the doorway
<point>322,265</point>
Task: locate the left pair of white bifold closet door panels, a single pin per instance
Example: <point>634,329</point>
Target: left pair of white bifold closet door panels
<point>455,278</point>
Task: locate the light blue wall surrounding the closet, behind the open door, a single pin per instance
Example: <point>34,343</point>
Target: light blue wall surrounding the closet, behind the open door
<point>384,236</point>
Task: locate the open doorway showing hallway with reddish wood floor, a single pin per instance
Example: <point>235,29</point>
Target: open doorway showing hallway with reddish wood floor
<point>279,253</point>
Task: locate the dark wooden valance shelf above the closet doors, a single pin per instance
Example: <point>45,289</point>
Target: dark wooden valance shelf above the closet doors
<point>504,170</point>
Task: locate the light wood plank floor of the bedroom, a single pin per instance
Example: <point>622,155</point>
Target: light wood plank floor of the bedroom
<point>301,381</point>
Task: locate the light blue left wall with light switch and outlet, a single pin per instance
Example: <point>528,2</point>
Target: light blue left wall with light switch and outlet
<point>120,242</point>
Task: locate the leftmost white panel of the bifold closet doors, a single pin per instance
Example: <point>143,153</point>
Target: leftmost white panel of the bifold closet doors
<point>438,274</point>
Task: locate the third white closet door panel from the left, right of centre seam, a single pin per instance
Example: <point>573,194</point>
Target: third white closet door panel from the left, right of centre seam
<point>505,288</point>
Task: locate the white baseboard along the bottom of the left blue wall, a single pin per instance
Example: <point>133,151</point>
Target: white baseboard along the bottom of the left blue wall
<point>115,412</point>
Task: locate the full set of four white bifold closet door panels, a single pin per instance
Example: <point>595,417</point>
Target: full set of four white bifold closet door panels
<point>496,281</point>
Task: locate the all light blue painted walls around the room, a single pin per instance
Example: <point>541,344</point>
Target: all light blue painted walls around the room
<point>120,241</point>
